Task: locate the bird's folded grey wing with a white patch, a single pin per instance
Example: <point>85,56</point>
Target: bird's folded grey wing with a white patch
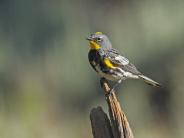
<point>119,60</point>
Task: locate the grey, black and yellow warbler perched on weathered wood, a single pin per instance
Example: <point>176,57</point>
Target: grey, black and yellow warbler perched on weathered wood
<point>110,64</point>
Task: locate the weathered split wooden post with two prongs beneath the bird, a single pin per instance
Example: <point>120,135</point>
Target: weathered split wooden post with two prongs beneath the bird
<point>119,127</point>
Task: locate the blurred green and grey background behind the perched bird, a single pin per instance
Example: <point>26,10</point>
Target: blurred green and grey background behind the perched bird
<point>47,87</point>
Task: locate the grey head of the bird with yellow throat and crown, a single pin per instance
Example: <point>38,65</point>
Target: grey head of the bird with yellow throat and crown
<point>99,40</point>
